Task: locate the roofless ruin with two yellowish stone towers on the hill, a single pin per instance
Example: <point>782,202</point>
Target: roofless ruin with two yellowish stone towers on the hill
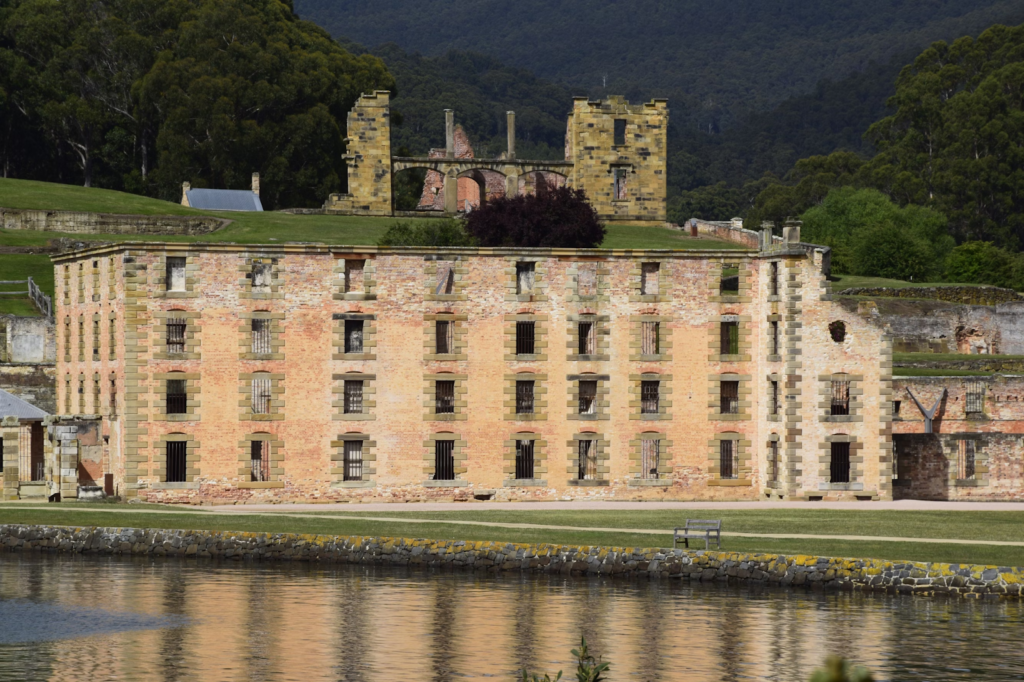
<point>615,151</point>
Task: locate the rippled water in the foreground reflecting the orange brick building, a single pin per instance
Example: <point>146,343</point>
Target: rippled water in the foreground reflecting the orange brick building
<point>82,619</point>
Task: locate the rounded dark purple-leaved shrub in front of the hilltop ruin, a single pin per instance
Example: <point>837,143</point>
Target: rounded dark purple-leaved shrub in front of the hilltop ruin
<point>557,219</point>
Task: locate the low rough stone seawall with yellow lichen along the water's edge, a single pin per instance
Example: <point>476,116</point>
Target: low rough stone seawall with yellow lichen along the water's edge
<point>822,573</point>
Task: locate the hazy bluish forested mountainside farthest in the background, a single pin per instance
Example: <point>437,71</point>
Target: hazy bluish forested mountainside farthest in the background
<point>713,61</point>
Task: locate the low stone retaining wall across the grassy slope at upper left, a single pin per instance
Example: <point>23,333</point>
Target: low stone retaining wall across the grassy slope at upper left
<point>81,223</point>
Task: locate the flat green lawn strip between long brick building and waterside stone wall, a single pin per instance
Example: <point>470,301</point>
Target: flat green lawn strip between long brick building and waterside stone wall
<point>961,525</point>
